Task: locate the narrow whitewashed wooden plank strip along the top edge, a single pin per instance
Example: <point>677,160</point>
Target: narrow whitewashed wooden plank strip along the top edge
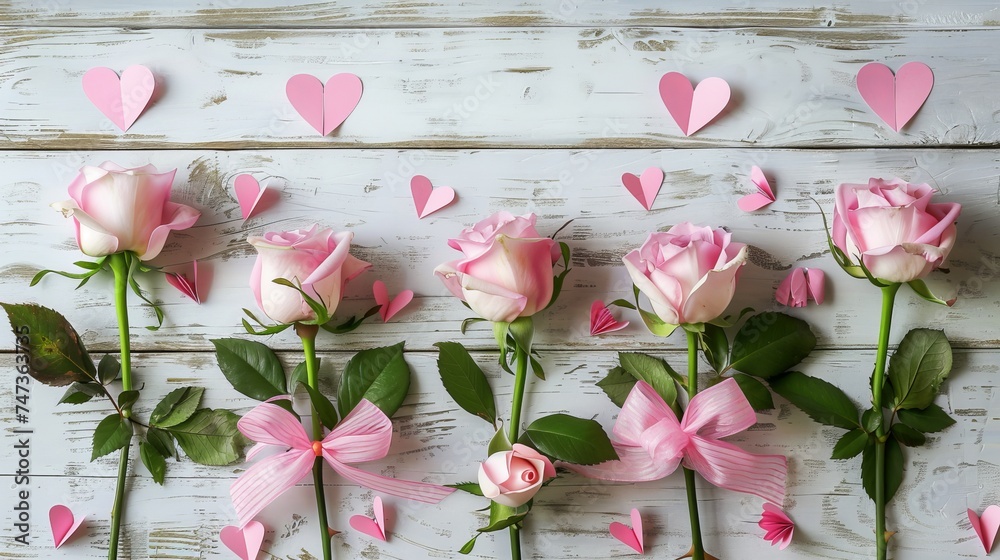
<point>476,13</point>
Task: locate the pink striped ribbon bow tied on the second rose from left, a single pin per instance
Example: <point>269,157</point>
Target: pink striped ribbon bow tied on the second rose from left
<point>363,435</point>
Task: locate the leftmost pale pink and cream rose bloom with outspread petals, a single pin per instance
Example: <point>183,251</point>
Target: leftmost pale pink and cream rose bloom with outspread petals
<point>116,209</point>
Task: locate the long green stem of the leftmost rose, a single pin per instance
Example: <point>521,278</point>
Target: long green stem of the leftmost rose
<point>119,266</point>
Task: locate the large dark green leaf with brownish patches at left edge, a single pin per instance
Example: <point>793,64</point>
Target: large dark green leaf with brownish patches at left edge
<point>56,355</point>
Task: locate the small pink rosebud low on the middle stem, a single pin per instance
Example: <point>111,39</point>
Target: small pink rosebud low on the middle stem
<point>511,478</point>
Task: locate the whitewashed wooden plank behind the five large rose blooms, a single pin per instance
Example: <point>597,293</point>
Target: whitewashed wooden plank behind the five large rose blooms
<point>367,192</point>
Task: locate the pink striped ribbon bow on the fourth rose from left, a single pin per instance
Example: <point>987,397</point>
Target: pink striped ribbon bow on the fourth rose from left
<point>651,443</point>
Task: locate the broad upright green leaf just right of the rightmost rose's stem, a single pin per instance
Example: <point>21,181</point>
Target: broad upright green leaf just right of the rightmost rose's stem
<point>917,368</point>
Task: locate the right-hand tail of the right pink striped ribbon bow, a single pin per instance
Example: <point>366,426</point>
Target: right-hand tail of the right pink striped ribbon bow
<point>727,466</point>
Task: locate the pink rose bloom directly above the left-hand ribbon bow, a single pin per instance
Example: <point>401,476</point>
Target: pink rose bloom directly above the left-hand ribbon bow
<point>319,260</point>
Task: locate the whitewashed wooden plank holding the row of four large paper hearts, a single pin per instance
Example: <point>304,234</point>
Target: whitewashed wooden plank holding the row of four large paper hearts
<point>519,87</point>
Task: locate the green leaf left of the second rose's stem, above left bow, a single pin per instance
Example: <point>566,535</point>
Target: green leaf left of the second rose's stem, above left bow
<point>251,367</point>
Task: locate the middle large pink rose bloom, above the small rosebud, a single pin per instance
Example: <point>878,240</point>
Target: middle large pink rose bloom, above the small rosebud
<point>507,269</point>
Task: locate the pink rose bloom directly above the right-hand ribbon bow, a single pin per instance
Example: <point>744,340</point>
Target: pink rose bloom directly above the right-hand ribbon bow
<point>688,273</point>
